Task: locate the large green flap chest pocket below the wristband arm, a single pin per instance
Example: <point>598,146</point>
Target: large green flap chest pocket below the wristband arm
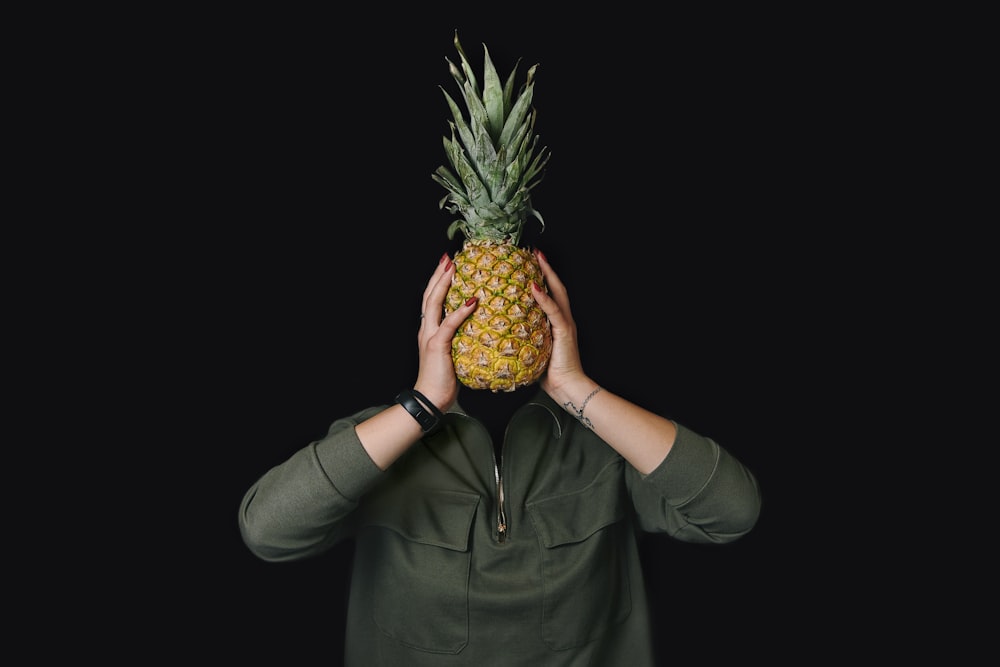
<point>418,552</point>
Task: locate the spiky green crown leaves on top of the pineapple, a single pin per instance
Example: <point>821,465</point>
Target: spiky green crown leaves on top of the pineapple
<point>494,154</point>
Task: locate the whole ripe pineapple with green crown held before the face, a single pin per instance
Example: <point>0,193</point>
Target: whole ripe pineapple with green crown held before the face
<point>506,342</point>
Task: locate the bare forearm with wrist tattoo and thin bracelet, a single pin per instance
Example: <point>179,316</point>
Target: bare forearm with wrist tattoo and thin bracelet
<point>643,438</point>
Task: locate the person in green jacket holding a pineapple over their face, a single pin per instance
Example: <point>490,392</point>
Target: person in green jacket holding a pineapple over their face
<point>522,551</point>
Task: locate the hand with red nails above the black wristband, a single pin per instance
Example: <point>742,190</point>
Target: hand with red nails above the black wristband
<point>436,378</point>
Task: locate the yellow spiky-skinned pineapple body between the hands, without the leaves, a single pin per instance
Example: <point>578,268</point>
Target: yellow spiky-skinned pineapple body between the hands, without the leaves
<point>506,342</point>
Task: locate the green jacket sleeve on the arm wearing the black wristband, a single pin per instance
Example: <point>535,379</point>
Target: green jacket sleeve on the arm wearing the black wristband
<point>302,507</point>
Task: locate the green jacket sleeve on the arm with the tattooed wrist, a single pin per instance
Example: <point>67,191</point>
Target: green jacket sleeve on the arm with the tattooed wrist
<point>699,493</point>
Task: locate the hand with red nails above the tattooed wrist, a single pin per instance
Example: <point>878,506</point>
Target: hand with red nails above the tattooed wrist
<point>565,367</point>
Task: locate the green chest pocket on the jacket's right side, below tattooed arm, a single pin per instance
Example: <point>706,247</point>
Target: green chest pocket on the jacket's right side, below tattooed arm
<point>584,566</point>
